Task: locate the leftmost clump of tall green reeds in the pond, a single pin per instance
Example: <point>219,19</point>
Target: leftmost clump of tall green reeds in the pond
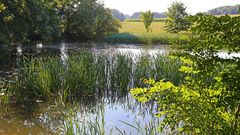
<point>38,79</point>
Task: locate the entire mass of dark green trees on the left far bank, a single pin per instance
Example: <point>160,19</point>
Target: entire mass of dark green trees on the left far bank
<point>46,20</point>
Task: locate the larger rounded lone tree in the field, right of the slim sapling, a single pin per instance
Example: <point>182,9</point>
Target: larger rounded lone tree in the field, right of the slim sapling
<point>177,15</point>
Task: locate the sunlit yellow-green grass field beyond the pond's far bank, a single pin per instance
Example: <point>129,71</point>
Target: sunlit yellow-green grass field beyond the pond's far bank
<point>135,33</point>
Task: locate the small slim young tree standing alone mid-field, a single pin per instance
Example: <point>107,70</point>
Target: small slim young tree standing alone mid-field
<point>147,18</point>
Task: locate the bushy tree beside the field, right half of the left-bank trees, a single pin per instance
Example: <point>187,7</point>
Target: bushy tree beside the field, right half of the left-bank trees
<point>86,19</point>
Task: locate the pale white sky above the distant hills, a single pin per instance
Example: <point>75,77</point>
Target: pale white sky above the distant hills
<point>193,6</point>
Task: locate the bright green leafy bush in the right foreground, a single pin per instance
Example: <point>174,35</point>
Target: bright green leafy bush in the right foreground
<point>207,102</point>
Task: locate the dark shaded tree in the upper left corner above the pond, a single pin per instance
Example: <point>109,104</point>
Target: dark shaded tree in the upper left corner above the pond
<point>29,20</point>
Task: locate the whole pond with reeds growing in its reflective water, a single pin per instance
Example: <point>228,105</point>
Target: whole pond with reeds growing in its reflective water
<point>87,86</point>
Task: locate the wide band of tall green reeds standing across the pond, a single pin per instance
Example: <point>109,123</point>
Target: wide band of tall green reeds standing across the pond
<point>89,74</point>
